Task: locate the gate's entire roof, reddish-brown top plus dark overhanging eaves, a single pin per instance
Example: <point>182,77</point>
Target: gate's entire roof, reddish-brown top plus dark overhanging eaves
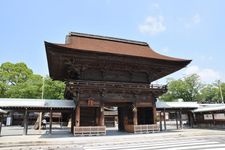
<point>89,46</point>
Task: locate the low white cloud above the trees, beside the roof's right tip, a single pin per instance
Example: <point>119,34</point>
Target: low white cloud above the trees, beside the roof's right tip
<point>207,75</point>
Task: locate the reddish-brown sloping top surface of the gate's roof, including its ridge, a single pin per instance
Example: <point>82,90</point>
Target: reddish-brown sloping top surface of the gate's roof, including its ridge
<point>105,44</point>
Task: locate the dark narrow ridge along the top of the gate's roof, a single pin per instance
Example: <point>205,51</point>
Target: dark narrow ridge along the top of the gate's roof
<point>109,38</point>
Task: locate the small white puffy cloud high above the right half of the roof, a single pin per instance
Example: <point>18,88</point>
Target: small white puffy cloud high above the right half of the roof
<point>153,25</point>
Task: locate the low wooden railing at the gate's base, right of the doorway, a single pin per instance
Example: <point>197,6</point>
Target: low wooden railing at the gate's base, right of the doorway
<point>148,128</point>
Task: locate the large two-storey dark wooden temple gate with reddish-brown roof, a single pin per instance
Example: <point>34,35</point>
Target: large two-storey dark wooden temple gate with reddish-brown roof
<point>103,72</point>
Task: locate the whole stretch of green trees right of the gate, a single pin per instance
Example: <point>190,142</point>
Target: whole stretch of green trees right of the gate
<point>191,89</point>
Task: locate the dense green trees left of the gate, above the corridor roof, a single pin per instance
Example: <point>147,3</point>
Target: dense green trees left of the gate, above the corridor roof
<point>18,81</point>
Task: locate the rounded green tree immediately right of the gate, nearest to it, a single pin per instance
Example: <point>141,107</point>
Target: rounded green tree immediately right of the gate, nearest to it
<point>186,89</point>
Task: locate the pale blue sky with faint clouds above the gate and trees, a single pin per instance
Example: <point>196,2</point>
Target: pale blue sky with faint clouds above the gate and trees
<point>192,29</point>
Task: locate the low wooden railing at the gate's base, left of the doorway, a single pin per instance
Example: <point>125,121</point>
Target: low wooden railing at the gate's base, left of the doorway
<point>89,130</point>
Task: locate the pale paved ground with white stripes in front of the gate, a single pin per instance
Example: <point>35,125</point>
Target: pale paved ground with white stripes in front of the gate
<point>176,140</point>
